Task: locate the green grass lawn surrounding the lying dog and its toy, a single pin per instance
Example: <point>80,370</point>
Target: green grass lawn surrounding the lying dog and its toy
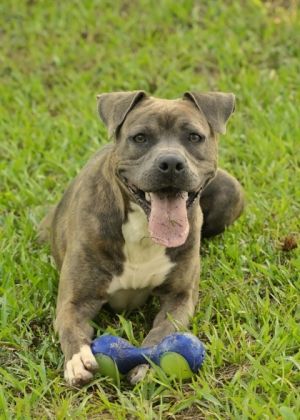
<point>55,57</point>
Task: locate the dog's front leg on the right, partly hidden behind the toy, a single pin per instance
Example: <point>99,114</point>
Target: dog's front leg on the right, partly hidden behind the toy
<point>177,307</point>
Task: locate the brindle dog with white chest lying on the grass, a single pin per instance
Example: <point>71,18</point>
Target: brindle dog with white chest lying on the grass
<point>129,225</point>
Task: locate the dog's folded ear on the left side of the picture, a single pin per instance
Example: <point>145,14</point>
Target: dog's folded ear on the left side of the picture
<point>114,107</point>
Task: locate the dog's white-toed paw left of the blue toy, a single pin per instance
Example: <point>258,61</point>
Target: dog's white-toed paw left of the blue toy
<point>79,370</point>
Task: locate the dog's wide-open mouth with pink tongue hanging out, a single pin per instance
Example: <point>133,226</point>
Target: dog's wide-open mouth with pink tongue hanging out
<point>167,213</point>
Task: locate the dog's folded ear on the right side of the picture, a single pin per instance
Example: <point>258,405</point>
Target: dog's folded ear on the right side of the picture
<point>216,107</point>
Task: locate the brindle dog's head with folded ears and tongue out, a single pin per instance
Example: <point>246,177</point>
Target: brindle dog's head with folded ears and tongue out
<point>165,152</point>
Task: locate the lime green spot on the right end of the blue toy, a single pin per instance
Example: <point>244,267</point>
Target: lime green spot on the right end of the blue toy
<point>173,364</point>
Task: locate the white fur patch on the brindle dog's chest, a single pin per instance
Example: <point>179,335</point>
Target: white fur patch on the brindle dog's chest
<point>146,263</point>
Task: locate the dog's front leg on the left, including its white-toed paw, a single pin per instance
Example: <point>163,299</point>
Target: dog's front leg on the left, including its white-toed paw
<point>80,297</point>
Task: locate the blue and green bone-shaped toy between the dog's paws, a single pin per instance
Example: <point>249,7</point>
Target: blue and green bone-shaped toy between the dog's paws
<point>179,355</point>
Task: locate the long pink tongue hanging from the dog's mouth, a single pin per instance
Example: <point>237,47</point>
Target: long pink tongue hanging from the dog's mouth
<point>168,222</point>
